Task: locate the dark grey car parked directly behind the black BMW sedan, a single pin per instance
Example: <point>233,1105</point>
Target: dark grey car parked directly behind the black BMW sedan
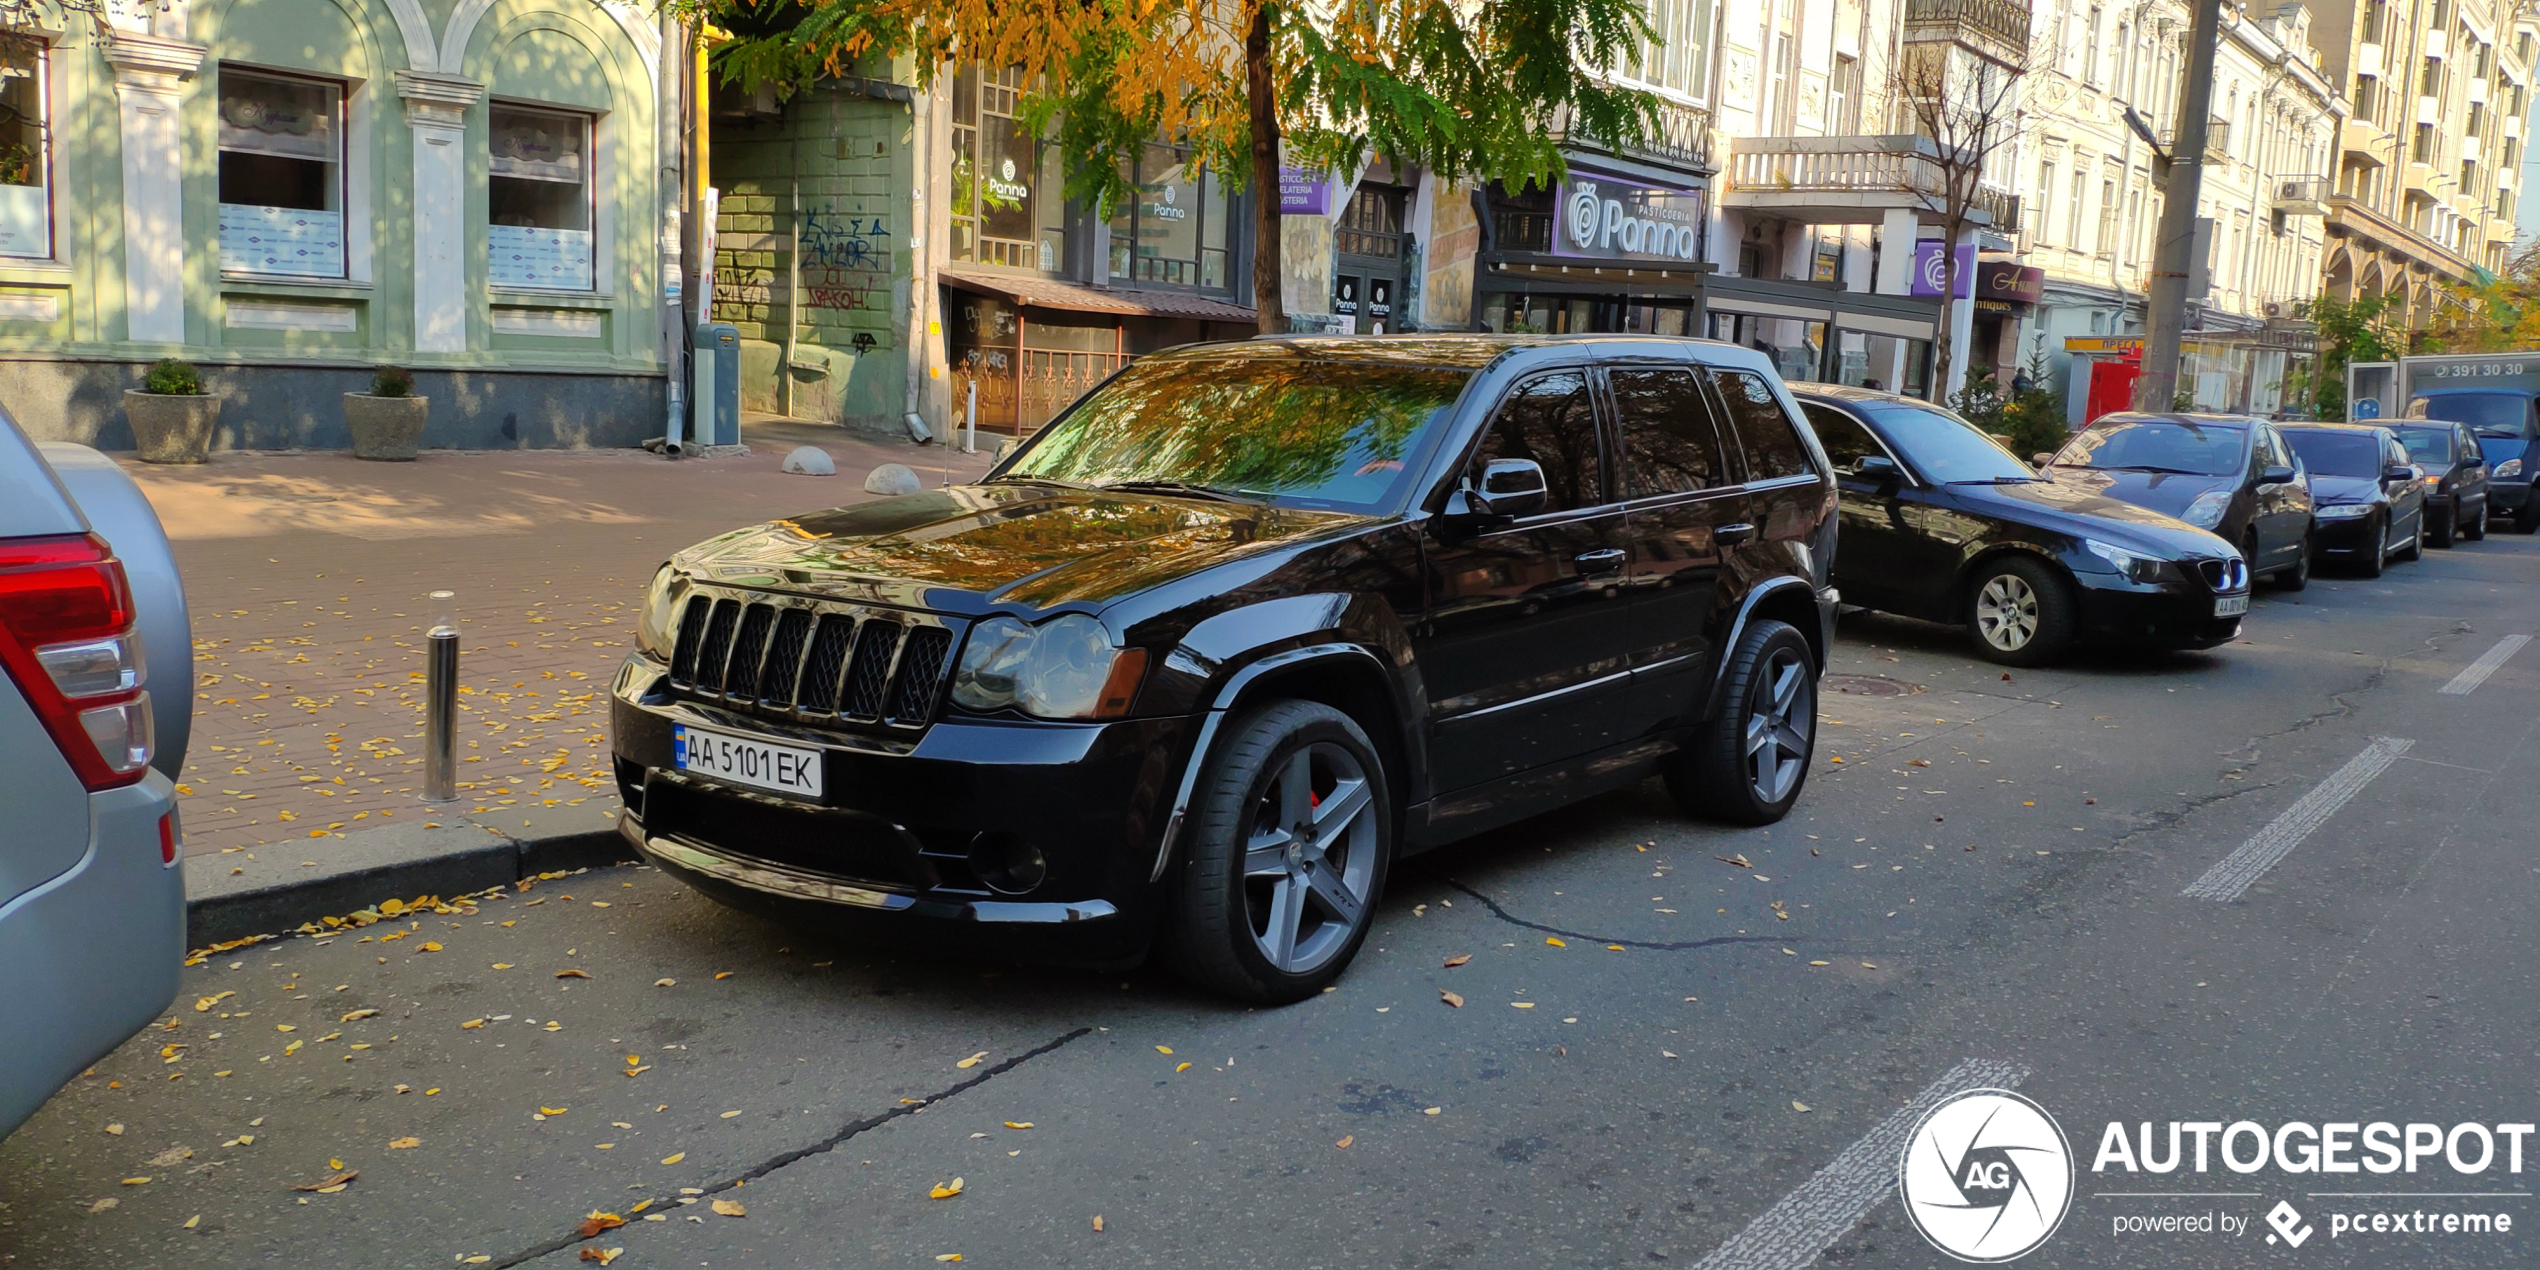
<point>2226,474</point>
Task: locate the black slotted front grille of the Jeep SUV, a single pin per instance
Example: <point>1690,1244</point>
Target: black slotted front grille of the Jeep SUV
<point>809,659</point>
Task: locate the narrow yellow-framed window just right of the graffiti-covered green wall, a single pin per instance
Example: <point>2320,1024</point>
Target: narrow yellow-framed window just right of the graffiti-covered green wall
<point>1007,204</point>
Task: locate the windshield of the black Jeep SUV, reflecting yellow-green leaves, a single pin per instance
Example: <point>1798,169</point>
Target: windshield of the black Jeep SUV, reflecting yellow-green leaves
<point>1309,433</point>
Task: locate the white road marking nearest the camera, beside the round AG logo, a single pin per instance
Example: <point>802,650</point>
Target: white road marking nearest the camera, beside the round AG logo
<point>1802,1226</point>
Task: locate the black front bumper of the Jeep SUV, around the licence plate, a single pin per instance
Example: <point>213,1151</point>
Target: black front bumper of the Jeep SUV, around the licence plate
<point>885,855</point>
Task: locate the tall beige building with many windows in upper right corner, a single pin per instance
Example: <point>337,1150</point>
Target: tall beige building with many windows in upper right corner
<point>2427,177</point>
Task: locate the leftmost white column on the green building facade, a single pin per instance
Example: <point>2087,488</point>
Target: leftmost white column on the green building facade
<point>151,77</point>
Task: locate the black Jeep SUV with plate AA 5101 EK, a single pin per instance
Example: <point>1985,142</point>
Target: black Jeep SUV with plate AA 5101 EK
<point>1233,634</point>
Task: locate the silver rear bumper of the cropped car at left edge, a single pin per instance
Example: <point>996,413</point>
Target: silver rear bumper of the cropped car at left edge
<point>95,954</point>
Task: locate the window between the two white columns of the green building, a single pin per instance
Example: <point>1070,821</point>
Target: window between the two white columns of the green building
<point>281,177</point>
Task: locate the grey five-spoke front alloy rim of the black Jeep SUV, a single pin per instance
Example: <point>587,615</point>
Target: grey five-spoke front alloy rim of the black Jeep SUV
<point>1312,857</point>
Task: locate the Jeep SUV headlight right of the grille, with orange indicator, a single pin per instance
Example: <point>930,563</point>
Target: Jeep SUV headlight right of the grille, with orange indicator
<point>1060,669</point>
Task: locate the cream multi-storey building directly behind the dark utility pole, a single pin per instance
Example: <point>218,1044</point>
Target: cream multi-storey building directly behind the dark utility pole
<point>2094,197</point>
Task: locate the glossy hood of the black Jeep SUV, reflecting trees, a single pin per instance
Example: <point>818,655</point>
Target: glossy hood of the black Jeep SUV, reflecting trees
<point>972,547</point>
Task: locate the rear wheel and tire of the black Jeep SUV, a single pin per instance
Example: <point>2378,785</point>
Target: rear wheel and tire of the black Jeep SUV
<point>1749,766</point>
